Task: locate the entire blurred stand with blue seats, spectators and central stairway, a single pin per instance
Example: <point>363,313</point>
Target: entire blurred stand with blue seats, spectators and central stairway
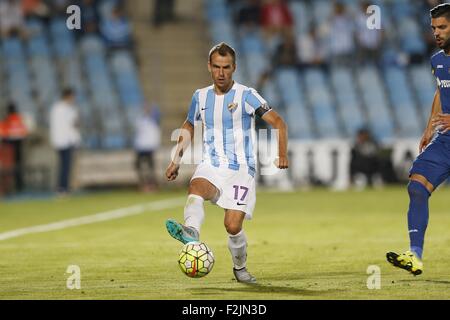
<point>316,62</point>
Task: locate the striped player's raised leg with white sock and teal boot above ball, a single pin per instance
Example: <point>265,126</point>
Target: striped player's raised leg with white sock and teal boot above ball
<point>200,189</point>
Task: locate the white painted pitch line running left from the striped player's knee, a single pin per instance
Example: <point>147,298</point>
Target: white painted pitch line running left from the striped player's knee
<point>98,217</point>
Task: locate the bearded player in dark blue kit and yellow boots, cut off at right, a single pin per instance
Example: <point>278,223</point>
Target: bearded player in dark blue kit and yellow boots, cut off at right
<point>432,166</point>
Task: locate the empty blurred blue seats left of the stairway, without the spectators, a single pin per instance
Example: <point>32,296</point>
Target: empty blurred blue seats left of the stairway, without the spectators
<point>34,68</point>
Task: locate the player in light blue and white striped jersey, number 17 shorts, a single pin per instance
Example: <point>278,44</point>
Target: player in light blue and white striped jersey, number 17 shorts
<point>226,175</point>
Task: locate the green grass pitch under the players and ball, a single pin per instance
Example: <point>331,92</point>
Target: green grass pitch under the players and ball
<point>302,245</point>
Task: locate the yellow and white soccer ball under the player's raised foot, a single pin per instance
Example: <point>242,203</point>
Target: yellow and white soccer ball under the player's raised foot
<point>196,259</point>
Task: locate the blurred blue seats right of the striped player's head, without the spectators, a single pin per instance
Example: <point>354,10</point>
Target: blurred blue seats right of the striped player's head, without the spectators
<point>335,101</point>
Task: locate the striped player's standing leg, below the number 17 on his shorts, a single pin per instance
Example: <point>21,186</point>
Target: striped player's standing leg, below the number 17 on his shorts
<point>237,244</point>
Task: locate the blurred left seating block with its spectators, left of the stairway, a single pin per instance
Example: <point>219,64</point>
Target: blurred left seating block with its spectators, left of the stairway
<point>40,56</point>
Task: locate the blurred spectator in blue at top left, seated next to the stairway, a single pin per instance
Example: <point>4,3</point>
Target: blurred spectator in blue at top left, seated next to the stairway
<point>116,30</point>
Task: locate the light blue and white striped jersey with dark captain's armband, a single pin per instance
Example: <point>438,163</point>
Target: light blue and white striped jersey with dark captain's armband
<point>229,137</point>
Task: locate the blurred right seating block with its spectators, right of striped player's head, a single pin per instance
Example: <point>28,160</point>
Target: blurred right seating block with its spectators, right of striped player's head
<point>326,70</point>
